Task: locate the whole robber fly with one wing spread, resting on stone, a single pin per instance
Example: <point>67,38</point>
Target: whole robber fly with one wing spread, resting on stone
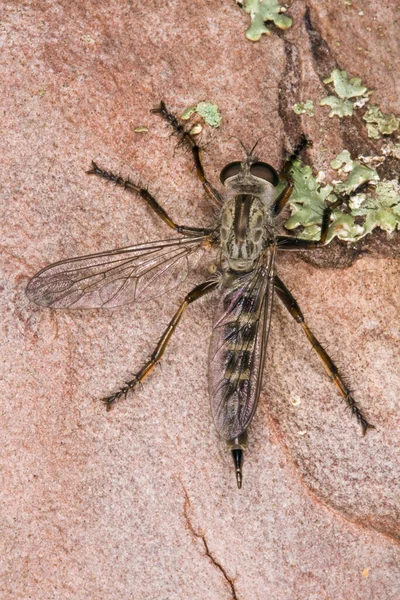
<point>245,237</point>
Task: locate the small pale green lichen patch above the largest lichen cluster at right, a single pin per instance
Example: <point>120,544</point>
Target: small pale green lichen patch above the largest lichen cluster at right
<point>350,94</point>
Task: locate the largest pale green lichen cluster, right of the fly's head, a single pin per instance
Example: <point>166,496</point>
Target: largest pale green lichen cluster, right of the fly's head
<point>378,205</point>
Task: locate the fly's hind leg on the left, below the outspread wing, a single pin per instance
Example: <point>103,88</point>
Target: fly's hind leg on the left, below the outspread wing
<point>198,292</point>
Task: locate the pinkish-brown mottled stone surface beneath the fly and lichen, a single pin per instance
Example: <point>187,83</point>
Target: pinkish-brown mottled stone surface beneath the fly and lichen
<point>141,502</point>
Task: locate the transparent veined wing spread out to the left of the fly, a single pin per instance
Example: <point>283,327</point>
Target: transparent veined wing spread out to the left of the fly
<point>117,277</point>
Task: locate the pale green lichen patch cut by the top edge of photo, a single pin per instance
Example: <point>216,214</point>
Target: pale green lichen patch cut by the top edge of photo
<point>262,11</point>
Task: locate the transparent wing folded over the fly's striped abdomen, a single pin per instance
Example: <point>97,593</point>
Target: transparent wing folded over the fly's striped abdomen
<point>237,350</point>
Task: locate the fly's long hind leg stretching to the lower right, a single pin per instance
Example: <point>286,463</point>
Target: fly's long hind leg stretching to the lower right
<point>289,301</point>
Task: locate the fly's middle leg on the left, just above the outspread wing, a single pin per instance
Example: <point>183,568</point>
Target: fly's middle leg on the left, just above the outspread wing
<point>147,197</point>
